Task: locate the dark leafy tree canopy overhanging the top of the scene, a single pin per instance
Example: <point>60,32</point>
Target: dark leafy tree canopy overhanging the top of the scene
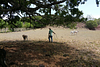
<point>64,10</point>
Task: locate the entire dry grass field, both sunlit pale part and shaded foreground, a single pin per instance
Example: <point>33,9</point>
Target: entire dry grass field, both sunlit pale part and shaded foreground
<point>81,50</point>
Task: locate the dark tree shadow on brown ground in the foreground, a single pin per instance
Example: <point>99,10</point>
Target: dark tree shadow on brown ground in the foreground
<point>35,53</point>
